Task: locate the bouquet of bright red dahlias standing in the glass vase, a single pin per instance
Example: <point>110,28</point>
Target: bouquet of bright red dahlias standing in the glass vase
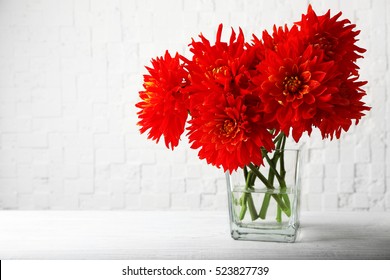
<point>242,99</point>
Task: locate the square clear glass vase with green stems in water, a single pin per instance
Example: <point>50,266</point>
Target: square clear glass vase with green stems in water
<point>264,201</point>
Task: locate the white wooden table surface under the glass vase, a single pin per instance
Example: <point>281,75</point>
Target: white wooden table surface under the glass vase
<point>184,235</point>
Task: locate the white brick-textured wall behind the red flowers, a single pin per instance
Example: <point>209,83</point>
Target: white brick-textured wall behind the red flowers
<point>70,72</point>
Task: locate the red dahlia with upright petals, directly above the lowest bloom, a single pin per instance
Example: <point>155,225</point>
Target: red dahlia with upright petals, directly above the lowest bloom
<point>222,67</point>
